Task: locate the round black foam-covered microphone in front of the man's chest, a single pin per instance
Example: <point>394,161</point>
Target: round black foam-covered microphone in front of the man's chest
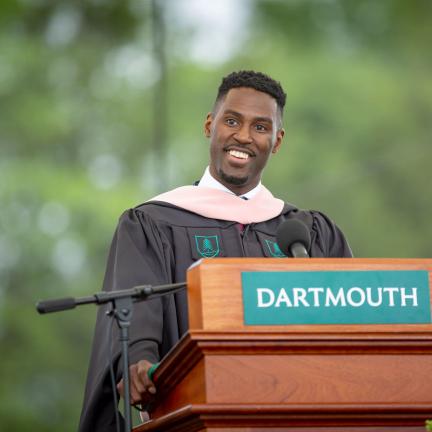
<point>293,238</point>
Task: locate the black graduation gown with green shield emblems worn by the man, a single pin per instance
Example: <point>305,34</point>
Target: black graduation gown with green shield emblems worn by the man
<point>154,244</point>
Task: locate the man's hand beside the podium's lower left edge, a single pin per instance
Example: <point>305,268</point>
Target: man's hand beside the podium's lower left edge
<point>141,386</point>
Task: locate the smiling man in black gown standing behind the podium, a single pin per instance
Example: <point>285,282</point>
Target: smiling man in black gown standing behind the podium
<point>229,213</point>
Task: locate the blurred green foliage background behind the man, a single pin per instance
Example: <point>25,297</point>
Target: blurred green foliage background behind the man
<point>102,104</point>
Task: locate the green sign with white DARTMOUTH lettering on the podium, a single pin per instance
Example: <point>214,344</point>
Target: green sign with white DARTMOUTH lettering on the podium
<point>336,297</point>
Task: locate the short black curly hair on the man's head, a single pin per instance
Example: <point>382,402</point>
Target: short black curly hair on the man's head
<point>256,80</point>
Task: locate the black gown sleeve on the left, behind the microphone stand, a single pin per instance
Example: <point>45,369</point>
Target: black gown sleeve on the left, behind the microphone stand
<point>139,254</point>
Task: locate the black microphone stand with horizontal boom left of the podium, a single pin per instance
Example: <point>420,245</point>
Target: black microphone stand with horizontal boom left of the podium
<point>121,309</point>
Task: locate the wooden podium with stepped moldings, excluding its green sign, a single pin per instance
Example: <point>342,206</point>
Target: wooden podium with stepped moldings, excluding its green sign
<point>225,375</point>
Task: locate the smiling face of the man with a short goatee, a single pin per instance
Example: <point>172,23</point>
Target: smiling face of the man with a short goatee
<point>244,130</point>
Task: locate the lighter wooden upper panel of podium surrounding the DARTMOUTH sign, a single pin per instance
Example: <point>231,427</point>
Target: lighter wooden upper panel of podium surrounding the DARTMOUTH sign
<point>217,306</point>
